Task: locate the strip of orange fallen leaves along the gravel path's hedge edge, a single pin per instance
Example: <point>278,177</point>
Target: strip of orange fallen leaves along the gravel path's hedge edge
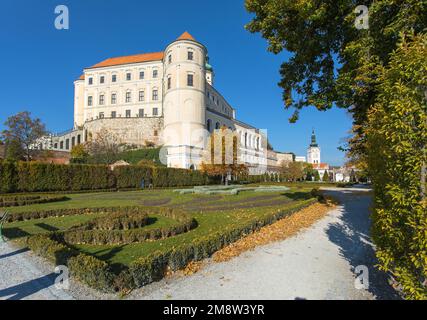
<point>280,230</point>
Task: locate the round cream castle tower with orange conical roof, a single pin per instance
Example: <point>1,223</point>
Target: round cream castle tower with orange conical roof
<point>184,101</point>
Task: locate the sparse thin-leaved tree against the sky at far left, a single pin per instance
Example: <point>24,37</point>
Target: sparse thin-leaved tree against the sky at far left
<point>21,135</point>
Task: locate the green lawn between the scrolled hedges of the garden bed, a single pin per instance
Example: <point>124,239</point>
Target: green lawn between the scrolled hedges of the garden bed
<point>212,212</point>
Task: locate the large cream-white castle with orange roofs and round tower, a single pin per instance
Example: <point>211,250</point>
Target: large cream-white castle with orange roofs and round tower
<point>164,98</point>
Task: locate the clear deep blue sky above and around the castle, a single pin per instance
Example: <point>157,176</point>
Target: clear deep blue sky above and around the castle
<point>40,63</point>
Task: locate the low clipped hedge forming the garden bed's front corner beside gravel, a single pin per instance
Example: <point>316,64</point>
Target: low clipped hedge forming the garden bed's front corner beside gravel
<point>99,274</point>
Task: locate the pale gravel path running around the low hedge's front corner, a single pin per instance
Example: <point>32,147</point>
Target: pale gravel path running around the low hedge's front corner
<point>318,263</point>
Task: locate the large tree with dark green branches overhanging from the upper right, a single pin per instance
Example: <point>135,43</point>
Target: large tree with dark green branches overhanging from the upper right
<point>332,62</point>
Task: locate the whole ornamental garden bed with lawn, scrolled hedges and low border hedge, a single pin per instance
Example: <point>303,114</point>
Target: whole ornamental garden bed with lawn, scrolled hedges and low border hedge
<point>126,246</point>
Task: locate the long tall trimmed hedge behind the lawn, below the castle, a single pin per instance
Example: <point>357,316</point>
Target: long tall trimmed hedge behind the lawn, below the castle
<point>42,177</point>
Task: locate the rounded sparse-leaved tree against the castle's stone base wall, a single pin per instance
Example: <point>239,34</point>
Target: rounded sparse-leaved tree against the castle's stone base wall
<point>104,147</point>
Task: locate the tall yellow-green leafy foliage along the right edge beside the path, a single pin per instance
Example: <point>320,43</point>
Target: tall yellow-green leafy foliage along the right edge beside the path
<point>397,138</point>
